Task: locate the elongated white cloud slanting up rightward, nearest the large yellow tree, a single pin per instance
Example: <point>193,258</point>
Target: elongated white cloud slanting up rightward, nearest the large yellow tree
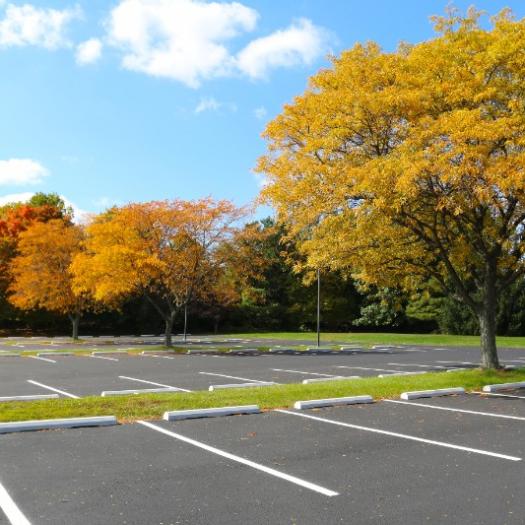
<point>299,44</point>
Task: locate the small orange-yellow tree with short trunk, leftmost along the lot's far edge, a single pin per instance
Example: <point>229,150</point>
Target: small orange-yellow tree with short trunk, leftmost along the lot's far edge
<point>40,272</point>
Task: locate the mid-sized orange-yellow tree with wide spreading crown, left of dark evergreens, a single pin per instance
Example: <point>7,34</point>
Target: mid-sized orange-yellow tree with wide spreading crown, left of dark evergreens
<point>164,250</point>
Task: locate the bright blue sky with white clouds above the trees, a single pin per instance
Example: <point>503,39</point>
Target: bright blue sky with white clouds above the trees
<point>107,102</point>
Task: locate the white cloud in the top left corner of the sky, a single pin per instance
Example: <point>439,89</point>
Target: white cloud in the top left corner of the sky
<point>27,25</point>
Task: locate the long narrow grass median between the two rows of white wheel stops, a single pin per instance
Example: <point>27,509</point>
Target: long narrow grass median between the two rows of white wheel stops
<point>152,406</point>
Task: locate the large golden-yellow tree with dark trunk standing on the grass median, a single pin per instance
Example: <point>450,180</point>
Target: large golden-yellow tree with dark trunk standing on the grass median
<point>408,166</point>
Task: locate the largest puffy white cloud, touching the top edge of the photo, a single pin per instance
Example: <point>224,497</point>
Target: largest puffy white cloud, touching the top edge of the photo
<point>179,39</point>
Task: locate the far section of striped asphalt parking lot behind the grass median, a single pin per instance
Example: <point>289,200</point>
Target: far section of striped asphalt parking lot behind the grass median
<point>85,375</point>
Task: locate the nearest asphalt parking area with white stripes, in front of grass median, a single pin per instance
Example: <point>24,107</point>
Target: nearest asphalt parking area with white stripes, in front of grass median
<point>382,463</point>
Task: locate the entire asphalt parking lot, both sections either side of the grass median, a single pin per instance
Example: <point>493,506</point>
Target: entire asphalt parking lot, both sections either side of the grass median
<point>455,459</point>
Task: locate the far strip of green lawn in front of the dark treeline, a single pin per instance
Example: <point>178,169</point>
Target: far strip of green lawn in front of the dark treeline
<point>381,338</point>
